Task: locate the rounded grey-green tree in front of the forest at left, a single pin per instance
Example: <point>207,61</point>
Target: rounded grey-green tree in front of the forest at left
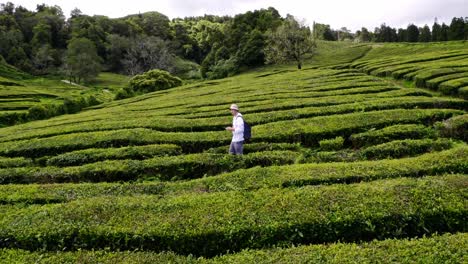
<point>82,61</point>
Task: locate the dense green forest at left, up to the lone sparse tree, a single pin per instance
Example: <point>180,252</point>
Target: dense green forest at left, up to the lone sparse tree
<point>45,42</point>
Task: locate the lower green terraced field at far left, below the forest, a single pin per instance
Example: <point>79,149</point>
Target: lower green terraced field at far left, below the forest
<point>24,98</point>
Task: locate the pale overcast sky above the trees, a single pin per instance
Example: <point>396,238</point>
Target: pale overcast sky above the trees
<point>352,14</point>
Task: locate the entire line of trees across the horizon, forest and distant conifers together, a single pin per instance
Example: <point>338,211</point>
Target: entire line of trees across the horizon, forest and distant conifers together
<point>44,41</point>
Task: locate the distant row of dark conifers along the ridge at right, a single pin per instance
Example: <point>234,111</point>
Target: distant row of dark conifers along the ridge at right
<point>457,30</point>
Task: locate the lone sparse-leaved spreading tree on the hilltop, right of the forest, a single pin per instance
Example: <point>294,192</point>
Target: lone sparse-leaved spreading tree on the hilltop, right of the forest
<point>291,41</point>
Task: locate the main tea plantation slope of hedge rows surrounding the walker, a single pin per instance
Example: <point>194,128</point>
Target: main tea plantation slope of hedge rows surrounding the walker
<point>361,156</point>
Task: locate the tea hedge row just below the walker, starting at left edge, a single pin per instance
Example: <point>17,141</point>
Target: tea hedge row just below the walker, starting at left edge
<point>161,168</point>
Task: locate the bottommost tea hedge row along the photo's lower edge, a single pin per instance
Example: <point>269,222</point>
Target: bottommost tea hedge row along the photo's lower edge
<point>447,248</point>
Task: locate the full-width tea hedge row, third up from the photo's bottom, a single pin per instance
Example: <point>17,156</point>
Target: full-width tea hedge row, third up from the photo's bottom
<point>452,161</point>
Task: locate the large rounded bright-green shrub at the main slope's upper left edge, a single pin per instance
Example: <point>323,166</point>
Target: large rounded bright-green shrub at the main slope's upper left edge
<point>154,80</point>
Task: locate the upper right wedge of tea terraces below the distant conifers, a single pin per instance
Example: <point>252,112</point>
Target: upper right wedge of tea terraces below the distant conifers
<point>437,66</point>
